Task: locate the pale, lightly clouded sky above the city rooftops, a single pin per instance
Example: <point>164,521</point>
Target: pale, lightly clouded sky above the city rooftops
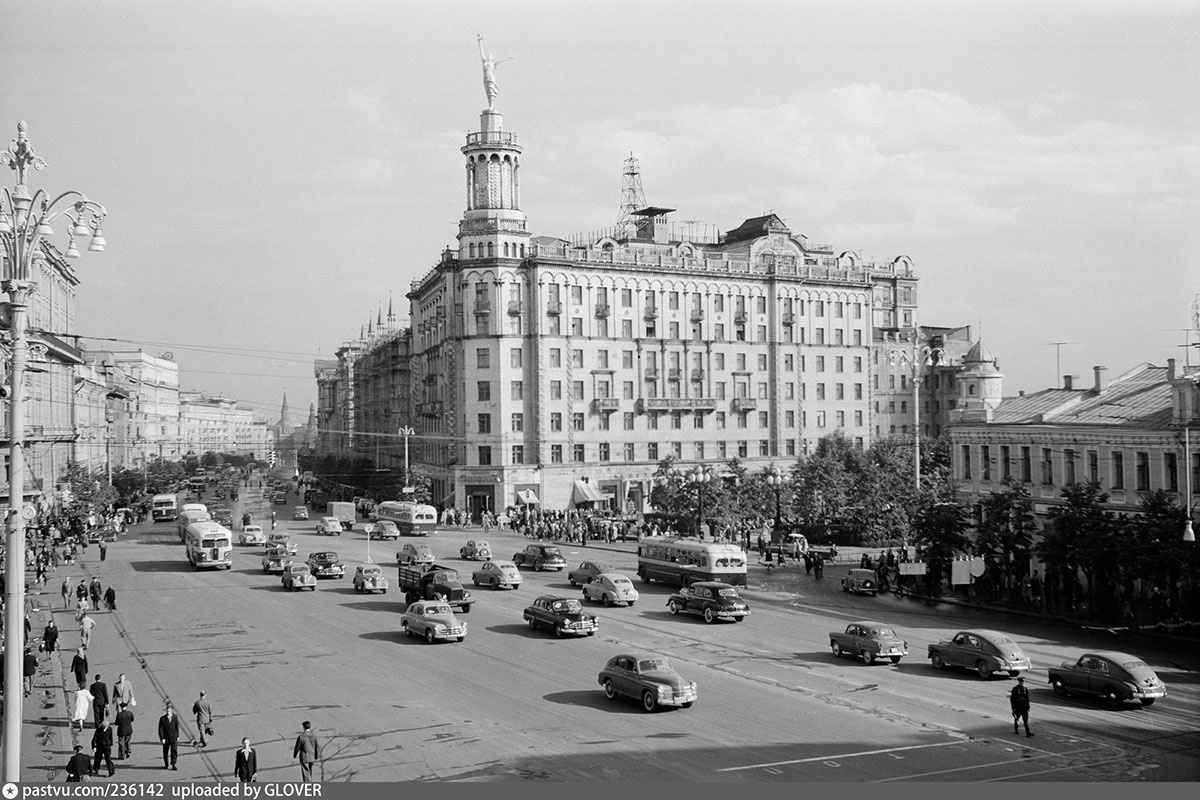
<point>278,172</point>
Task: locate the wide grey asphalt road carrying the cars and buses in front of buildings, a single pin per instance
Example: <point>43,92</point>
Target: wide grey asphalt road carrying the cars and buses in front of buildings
<point>513,705</point>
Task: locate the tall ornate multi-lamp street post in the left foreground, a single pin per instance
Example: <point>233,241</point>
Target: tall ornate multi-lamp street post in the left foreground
<point>26,224</point>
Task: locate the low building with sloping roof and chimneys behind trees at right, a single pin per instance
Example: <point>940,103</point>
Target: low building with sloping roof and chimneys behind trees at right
<point>1126,435</point>
